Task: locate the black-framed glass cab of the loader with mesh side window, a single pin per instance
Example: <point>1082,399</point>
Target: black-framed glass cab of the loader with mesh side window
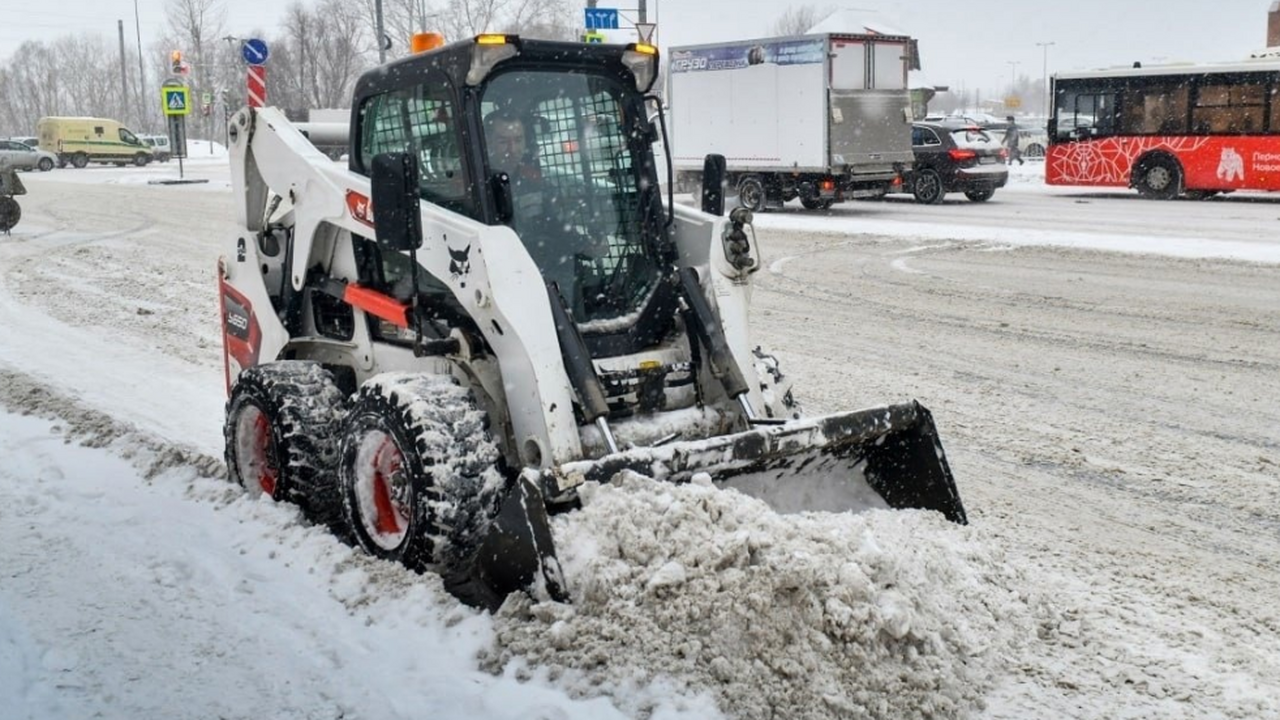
<point>551,139</point>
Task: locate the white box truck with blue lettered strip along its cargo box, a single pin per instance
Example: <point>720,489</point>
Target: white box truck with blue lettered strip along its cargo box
<point>819,117</point>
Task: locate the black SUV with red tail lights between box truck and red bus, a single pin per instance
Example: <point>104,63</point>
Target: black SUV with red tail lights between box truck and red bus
<point>956,158</point>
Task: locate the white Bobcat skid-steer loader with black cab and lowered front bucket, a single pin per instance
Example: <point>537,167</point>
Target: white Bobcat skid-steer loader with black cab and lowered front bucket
<point>432,353</point>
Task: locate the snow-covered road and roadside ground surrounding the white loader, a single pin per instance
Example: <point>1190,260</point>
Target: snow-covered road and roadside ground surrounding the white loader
<point>1105,373</point>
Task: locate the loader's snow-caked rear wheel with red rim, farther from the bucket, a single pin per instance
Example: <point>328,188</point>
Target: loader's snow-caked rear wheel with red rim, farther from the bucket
<point>300,408</point>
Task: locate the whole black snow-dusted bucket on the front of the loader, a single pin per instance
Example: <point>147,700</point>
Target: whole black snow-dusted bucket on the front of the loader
<point>851,462</point>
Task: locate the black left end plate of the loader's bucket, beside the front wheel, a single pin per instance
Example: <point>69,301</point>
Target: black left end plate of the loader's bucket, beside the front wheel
<point>516,554</point>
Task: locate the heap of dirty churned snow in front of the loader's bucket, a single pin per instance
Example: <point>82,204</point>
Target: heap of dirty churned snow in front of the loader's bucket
<point>885,614</point>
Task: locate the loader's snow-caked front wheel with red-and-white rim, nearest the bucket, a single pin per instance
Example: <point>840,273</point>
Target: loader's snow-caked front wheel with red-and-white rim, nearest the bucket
<point>445,472</point>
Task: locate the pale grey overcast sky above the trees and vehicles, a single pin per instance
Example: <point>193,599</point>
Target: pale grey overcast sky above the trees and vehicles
<point>962,44</point>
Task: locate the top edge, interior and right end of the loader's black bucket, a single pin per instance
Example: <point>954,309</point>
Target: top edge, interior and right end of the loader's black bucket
<point>879,458</point>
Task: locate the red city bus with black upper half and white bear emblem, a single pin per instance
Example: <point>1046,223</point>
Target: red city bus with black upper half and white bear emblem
<point>1168,131</point>
